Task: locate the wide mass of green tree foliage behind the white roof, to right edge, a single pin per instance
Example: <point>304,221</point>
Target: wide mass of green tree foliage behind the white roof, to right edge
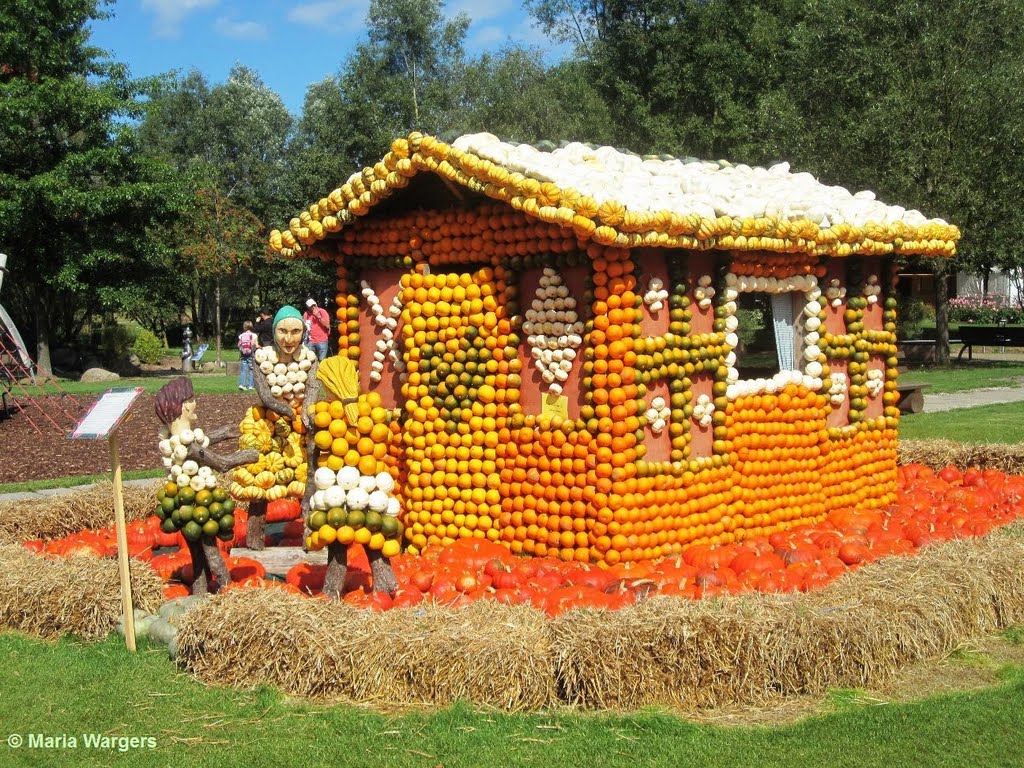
<point>918,102</point>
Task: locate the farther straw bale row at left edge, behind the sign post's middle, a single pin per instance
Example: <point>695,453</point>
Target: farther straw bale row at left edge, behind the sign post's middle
<point>62,515</point>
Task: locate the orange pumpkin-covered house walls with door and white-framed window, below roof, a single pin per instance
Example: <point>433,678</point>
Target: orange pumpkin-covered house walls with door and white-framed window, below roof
<point>635,437</point>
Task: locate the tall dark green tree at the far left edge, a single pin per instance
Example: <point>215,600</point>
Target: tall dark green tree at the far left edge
<point>76,195</point>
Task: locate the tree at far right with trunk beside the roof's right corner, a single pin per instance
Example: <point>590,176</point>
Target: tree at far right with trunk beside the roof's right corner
<point>923,106</point>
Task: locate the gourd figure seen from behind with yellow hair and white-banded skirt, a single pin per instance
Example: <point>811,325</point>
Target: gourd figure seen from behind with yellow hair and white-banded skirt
<point>352,496</point>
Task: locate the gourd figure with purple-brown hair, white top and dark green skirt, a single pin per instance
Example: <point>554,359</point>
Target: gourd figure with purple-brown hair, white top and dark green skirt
<point>191,501</point>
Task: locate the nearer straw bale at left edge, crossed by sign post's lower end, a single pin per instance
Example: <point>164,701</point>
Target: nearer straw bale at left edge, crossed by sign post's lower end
<point>81,596</point>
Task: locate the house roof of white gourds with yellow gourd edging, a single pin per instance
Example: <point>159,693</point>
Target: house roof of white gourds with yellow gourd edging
<point>623,200</point>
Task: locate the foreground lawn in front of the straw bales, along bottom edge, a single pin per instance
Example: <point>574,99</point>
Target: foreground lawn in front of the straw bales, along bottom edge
<point>69,688</point>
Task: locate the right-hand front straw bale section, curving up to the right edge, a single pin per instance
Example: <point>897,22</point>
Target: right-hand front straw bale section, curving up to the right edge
<point>860,631</point>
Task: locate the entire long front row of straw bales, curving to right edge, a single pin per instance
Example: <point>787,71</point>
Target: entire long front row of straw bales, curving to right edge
<point>690,655</point>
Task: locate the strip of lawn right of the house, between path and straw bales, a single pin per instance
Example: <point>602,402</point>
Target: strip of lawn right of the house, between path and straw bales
<point>1002,424</point>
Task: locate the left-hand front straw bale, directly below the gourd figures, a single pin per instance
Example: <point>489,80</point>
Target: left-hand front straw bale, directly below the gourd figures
<point>490,655</point>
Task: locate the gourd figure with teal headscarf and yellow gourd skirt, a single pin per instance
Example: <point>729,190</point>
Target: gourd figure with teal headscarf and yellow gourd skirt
<point>285,377</point>
